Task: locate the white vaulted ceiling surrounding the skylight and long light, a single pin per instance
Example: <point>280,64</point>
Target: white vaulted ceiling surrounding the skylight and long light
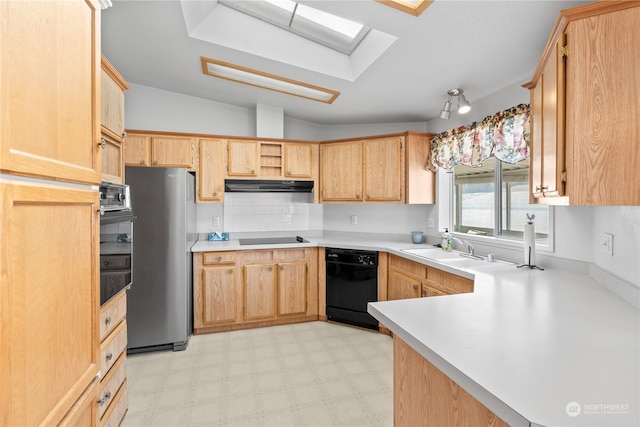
<point>400,74</point>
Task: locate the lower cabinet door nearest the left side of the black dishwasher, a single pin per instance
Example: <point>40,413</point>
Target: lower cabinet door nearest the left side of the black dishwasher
<point>292,288</point>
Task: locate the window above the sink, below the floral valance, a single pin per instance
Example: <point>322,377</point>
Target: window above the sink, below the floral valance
<point>493,200</point>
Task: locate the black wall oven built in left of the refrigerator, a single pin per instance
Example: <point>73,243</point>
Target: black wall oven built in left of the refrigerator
<point>116,240</point>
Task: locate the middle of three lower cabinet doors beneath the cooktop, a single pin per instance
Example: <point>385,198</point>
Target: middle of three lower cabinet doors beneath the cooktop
<point>259,291</point>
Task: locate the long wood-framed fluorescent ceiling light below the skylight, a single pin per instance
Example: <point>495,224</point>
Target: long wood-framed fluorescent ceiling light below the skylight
<point>225,70</point>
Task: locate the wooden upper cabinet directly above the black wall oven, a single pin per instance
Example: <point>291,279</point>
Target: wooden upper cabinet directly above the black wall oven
<point>112,90</point>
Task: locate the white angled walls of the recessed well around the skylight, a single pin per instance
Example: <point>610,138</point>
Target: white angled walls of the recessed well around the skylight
<point>215,23</point>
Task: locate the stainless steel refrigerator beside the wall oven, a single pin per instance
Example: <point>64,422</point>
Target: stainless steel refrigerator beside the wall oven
<point>159,303</point>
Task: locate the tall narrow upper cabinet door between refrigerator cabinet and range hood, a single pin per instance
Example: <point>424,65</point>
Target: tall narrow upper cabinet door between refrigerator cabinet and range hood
<point>211,176</point>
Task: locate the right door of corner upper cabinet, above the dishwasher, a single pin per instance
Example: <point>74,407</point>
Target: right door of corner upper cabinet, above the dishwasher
<point>383,170</point>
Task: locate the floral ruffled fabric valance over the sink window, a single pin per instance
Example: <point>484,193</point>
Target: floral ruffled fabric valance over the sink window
<point>504,135</point>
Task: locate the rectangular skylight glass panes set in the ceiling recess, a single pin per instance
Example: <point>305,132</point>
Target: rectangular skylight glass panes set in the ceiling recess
<point>324,28</point>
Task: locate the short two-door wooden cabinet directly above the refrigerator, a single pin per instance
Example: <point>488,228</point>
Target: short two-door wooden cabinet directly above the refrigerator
<point>159,149</point>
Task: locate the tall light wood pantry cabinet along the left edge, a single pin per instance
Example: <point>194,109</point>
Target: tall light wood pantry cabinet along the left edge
<point>49,174</point>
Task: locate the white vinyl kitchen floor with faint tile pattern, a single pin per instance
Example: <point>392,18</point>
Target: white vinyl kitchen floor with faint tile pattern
<point>306,374</point>
